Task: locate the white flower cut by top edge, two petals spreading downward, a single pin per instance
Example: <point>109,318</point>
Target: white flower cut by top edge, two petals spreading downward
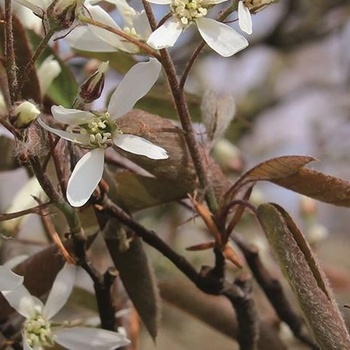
<point>219,36</point>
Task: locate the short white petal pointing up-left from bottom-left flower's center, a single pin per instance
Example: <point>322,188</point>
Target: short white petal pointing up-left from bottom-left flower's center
<point>23,302</point>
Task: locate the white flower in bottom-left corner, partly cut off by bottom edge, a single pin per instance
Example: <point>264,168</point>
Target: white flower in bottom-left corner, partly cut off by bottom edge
<point>38,332</point>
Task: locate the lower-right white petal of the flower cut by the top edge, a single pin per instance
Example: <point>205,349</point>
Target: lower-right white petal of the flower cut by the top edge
<point>220,37</point>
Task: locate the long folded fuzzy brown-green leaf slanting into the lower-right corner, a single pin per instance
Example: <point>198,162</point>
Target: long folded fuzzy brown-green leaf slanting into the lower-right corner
<point>305,277</point>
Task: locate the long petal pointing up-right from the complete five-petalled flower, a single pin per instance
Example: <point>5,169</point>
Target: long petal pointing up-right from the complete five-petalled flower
<point>136,83</point>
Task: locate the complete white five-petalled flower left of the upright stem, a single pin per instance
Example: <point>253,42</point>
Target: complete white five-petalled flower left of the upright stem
<point>98,130</point>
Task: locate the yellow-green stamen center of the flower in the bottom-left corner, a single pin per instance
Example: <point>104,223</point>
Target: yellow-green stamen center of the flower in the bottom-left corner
<point>38,333</point>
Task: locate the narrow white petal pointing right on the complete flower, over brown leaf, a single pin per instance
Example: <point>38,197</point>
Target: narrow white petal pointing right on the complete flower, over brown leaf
<point>138,145</point>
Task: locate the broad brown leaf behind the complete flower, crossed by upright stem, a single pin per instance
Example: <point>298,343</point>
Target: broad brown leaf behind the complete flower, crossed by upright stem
<point>179,165</point>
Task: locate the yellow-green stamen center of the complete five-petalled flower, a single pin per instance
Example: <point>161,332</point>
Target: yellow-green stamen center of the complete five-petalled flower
<point>100,130</point>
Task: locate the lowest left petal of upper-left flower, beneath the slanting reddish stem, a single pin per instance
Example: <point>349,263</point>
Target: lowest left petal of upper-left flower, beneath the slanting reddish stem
<point>83,38</point>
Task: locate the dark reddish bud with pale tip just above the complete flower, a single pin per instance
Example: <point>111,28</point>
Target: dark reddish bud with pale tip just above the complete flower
<point>92,87</point>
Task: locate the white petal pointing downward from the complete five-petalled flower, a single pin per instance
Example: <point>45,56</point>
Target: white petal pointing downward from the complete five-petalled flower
<point>85,177</point>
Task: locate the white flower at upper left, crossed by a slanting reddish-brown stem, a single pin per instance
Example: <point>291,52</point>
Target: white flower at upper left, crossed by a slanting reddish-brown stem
<point>93,38</point>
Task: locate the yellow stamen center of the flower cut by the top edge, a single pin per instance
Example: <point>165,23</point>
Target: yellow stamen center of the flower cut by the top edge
<point>188,10</point>
